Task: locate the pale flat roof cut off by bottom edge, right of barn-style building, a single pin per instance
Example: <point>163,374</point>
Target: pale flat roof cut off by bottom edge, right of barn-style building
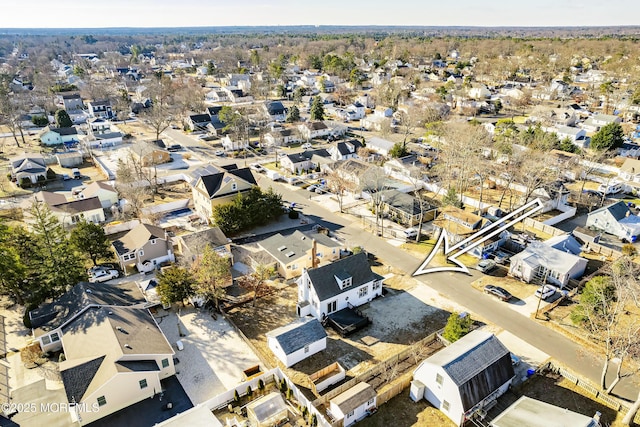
<point>528,412</point>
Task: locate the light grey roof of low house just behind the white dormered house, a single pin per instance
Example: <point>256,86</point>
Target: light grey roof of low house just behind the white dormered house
<point>290,247</point>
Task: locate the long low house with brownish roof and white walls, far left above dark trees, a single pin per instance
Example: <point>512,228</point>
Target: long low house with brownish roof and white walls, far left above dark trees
<point>67,212</point>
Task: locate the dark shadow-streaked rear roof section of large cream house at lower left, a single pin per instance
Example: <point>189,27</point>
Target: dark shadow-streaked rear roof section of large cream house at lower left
<point>54,314</point>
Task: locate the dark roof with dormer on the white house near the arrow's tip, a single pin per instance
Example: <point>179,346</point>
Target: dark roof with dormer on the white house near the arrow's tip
<point>323,278</point>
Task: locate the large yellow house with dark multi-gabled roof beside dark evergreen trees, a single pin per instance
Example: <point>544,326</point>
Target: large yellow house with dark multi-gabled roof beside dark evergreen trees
<point>219,188</point>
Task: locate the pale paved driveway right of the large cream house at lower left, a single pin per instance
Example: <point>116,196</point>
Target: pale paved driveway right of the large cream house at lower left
<point>206,367</point>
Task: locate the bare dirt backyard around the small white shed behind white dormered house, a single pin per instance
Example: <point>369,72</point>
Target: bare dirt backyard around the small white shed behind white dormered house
<point>390,331</point>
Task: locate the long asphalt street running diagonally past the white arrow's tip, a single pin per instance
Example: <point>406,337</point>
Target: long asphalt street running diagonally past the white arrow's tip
<point>456,287</point>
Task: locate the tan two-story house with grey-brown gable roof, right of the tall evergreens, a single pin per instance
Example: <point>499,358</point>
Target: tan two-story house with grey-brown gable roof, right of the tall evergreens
<point>145,247</point>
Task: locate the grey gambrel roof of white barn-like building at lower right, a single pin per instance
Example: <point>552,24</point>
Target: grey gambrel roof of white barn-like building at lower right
<point>478,364</point>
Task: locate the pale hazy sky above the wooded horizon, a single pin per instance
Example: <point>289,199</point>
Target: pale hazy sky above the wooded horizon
<point>215,13</point>
